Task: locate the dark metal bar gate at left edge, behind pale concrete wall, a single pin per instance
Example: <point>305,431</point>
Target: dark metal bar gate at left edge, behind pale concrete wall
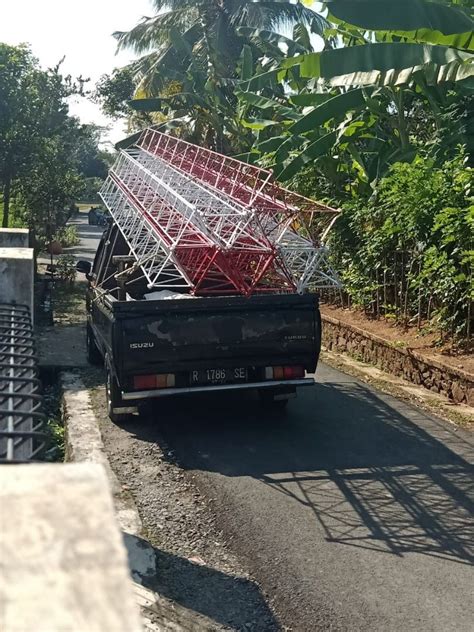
<point>21,419</point>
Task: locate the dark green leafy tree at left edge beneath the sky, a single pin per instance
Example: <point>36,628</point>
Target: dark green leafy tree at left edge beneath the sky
<point>45,153</point>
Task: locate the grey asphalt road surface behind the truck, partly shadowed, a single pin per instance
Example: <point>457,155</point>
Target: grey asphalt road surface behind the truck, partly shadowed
<point>353,511</point>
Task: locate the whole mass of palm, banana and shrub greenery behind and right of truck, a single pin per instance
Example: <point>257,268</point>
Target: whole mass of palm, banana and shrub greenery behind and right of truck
<point>366,105</point>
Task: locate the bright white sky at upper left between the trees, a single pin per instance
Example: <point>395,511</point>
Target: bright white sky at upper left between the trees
<point>80,31</point>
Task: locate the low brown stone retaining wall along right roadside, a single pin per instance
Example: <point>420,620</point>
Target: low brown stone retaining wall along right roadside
<point>455,384</point>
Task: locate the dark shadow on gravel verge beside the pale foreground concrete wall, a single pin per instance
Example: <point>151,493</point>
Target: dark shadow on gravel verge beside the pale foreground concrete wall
<point>228,600</point>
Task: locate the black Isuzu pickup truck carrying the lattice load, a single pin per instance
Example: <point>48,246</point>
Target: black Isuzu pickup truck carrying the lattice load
<point>158,348</point>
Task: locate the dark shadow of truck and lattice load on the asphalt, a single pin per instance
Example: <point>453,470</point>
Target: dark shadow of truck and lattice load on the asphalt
<point>371,475</point>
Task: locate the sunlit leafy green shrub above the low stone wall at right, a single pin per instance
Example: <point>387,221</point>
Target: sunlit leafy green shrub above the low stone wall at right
<point>408,251</point>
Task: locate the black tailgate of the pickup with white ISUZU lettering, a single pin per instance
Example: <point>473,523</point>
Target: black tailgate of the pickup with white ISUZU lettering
<point>173,335</point>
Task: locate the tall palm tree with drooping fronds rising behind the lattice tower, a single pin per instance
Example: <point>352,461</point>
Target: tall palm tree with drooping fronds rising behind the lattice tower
<point>190,56</point>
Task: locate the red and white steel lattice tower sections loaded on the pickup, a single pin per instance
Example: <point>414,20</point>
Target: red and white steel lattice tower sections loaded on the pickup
<point>195,219</point>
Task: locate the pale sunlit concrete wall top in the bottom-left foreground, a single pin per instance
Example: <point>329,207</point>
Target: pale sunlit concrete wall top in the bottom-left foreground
<point>64,565</point>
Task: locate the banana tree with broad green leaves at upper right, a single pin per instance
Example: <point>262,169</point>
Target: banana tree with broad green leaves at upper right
<point>362,97</point>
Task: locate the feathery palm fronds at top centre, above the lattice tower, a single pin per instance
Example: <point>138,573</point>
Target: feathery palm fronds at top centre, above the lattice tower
<point>193,55</point>
